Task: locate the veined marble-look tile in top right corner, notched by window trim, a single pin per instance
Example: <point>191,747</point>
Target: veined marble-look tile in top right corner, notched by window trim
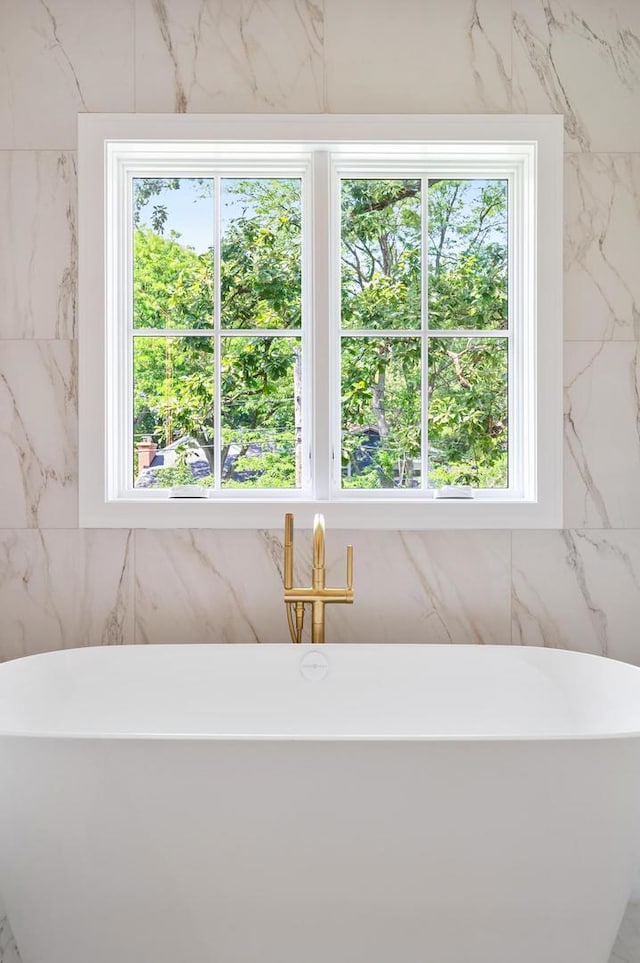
<point>580,58</point>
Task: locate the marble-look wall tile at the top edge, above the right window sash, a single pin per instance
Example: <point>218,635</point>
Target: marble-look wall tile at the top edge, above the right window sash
<point>429,56</point>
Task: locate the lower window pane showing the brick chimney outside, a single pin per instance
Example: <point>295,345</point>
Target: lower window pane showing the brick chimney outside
<point>173,399</point>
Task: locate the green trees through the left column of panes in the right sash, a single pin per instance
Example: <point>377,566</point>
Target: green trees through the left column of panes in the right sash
<point>381,290</point>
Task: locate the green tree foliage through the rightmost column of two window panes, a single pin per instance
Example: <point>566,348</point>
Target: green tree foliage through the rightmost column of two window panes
<point>467,289</point>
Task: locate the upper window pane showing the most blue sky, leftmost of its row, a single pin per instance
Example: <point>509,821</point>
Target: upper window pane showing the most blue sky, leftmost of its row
<point>173,252</point>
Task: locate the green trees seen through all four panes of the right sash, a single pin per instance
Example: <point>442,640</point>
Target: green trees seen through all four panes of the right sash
<point>381,289</point>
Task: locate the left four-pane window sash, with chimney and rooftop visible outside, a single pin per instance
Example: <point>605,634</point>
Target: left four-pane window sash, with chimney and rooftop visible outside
<point>217,339</point>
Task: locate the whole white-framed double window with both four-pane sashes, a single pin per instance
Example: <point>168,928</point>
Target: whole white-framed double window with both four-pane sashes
<point>359,315</point>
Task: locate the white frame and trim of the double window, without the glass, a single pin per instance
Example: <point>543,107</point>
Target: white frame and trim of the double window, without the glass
<point>525,148</point>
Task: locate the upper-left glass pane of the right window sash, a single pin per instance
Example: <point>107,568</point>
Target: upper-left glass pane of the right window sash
<point>380,254</point>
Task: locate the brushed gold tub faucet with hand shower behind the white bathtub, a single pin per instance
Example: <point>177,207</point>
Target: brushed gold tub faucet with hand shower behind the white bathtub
<point>318,595</point>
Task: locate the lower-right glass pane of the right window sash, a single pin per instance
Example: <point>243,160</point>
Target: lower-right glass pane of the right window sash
<point>468,405</point>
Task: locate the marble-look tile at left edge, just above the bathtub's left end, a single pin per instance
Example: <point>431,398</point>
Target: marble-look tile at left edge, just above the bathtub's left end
<point>62,588</point>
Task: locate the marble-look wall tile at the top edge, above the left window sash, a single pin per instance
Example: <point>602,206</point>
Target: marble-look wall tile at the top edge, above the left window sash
<point>229,55</point>
